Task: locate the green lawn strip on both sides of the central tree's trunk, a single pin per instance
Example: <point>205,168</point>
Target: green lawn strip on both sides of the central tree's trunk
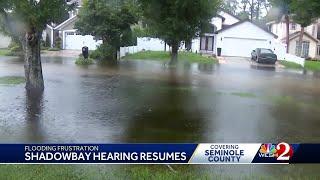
<point>165,56</point>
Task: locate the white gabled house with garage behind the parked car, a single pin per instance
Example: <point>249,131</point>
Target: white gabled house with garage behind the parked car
<point>231,36</point>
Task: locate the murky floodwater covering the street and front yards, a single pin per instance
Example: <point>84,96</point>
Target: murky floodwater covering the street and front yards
<point>146,101</point>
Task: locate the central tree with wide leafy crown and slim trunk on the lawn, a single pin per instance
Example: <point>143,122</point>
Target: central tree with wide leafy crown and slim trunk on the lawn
<point>175,21</point>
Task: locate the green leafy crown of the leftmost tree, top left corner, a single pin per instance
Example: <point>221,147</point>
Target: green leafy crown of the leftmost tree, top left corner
<point>25,16</point>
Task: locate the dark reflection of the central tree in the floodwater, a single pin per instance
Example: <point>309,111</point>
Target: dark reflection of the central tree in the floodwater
<point>170,114</point>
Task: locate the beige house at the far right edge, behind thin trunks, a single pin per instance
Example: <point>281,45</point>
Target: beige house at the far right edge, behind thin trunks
<point>310,43</point>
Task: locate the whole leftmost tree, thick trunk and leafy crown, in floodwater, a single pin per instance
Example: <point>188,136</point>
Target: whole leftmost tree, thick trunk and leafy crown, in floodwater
<point>25,20</point>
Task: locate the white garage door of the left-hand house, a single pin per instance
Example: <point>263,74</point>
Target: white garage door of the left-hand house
<point>76,42</point>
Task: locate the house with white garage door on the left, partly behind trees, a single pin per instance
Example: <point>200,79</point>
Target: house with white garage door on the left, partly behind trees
<point>66,35</point>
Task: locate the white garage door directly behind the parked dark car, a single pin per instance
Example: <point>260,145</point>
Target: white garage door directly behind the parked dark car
<point>242,47</point>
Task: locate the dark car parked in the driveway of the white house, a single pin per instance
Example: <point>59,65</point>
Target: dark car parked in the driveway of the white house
<point>261,55</point>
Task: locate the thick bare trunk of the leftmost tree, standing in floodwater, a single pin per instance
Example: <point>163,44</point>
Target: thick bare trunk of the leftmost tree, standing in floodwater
<point>32,64</point>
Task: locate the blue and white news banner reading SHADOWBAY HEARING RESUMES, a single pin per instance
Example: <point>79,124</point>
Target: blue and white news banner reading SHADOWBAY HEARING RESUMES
<point>254,153</point>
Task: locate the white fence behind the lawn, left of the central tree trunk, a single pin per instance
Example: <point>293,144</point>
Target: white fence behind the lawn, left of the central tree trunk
<point>144,43</point>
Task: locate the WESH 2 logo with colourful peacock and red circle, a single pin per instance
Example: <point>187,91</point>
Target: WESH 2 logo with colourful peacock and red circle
<point>281,151</point>
